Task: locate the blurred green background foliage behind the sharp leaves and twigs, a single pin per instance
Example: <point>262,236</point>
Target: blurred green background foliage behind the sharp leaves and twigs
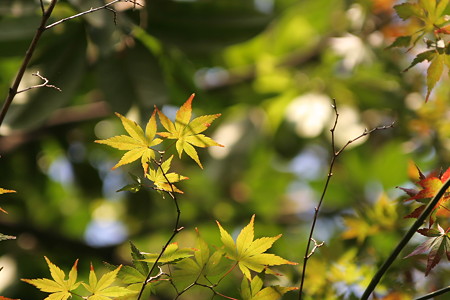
<point>266,65</point>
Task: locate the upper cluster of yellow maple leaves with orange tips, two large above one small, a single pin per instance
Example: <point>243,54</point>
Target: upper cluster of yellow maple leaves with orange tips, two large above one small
<point>142,145</point>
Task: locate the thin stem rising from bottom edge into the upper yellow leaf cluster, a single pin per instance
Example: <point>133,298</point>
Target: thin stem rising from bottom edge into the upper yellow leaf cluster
<point>176,228</point>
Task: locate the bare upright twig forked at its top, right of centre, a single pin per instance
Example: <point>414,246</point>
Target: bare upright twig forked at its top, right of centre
<point>335,155</point>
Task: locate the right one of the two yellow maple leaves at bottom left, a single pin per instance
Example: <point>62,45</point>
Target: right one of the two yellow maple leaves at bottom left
<point>102,289</point>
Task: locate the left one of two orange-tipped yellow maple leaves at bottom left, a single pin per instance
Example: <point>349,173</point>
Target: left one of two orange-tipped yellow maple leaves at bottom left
<point>59,288</point>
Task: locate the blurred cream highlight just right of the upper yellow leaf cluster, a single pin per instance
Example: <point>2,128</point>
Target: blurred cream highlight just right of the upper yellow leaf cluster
<point>228,134</point>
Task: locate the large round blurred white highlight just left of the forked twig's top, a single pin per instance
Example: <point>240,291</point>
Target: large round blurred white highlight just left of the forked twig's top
<point>310,113</point>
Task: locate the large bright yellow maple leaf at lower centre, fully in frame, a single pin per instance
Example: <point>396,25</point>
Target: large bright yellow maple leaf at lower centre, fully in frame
<point>249,253</point>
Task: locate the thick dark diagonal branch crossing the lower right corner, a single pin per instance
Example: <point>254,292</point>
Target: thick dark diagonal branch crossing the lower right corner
<point>417,224</point>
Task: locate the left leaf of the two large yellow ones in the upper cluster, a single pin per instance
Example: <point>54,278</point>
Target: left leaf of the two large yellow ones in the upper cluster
<point>138,144</point>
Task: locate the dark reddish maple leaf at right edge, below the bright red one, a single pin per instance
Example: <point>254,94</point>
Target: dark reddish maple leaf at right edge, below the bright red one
<point>437,245</point>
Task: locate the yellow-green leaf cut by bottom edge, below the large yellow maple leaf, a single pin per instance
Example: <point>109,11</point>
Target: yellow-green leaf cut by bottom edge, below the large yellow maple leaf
<point>251,289</point>
